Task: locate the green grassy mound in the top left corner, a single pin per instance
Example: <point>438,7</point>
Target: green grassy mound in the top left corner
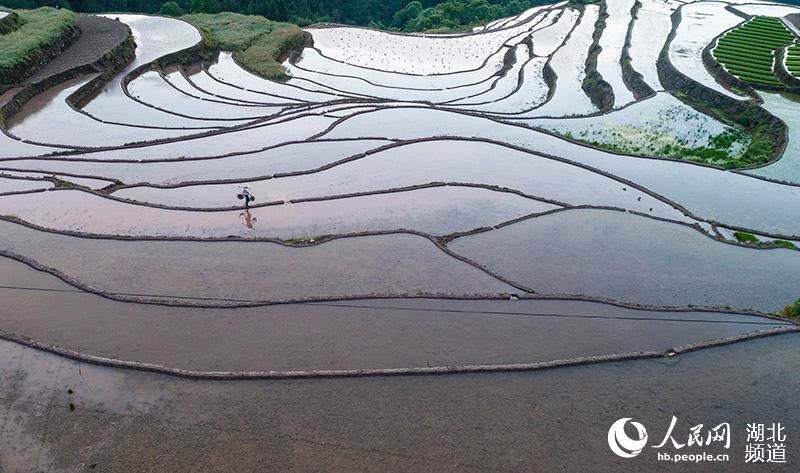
<point>39,31</point>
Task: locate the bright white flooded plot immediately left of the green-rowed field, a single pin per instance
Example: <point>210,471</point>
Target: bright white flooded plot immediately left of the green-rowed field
<point>700,24</point>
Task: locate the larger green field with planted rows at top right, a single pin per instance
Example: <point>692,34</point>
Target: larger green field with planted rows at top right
<point>748,52</point>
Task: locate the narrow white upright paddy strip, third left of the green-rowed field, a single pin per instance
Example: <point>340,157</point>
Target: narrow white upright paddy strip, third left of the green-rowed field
<point>612,41</point>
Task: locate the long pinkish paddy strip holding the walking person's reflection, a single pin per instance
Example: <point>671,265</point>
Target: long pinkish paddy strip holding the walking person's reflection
<point>436,211</point>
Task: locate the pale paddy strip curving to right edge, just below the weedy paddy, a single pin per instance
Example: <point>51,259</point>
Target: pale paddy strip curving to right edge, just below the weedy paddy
<point>706,192</point>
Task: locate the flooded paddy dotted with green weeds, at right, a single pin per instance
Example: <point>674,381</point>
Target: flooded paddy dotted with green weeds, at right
<point>659,126</point>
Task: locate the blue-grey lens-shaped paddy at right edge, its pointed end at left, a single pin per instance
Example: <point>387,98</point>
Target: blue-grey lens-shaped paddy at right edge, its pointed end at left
<point>630,258</point>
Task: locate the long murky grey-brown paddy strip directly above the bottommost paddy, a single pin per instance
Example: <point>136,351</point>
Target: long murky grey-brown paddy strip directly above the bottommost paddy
<point>345,335</point>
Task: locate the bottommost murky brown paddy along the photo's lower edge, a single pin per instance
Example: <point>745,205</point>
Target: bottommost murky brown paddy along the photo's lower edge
<point>540,421</point>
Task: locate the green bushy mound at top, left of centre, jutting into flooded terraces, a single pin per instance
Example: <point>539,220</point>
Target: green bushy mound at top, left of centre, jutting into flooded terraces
<point>258,44</point>
